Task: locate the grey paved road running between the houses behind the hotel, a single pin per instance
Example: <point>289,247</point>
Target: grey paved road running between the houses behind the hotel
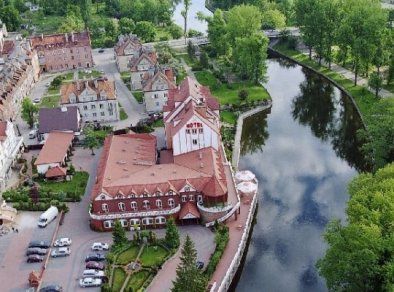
<point>135,111</point>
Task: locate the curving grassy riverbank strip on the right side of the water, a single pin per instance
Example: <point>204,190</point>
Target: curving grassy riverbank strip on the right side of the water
<point>376,114</point>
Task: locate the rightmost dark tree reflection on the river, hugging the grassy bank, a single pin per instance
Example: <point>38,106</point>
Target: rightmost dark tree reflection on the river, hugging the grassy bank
<point>345,141</point>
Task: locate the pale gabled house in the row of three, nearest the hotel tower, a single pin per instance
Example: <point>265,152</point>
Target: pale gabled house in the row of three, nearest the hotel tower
<point>156,90</point>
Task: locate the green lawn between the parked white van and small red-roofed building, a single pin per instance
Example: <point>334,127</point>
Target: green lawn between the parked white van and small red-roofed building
<point>77,184</point>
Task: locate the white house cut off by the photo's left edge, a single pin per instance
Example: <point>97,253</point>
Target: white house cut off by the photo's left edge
<point>10,149</point>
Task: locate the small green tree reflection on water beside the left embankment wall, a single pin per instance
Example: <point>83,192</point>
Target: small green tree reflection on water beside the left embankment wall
<point>254,132</point>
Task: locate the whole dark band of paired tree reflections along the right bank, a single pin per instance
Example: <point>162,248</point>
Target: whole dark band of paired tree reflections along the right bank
<point>316,106</point>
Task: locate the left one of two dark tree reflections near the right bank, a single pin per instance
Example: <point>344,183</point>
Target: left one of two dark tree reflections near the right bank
<point>314,106</point>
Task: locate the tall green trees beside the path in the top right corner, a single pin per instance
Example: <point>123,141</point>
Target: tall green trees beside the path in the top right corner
<point>356,27</point>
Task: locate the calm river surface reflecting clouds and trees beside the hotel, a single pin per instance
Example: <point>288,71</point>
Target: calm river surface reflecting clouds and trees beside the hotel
<point>304,152</point>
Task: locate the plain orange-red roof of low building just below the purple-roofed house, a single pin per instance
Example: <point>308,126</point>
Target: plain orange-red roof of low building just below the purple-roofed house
<point>55,148</point>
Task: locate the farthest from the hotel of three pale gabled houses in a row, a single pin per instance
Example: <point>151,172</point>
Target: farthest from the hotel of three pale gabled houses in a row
<point>127,48</point>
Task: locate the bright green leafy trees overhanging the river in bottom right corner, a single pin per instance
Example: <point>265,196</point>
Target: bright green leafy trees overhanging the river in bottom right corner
<point>361,253</point>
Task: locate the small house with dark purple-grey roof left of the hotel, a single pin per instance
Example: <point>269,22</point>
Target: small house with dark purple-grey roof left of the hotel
<point>66,119</point>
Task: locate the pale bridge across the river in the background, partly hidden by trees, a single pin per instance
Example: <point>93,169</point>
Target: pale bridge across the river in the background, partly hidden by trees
<point>272,34</point>
